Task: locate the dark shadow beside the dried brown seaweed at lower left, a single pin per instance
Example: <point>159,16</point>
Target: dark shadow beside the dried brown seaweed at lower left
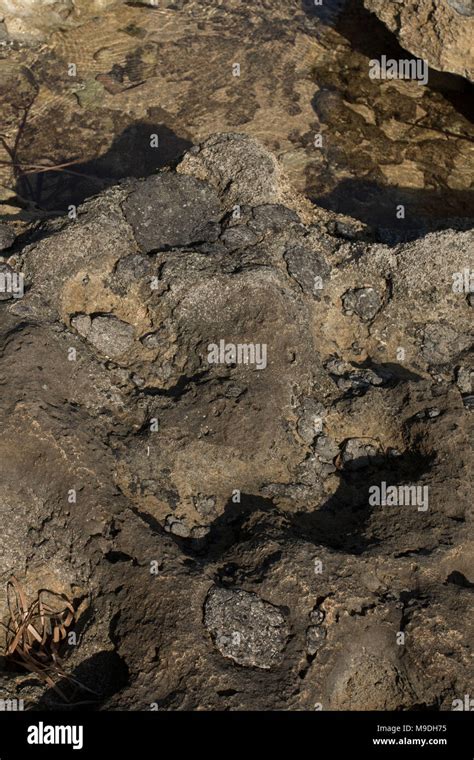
<point>96,679</point>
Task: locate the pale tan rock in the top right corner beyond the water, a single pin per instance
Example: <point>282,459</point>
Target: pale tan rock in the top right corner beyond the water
<point>439,31</point>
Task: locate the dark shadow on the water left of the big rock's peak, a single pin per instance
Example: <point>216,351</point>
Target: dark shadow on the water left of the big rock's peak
<point>130,155</point>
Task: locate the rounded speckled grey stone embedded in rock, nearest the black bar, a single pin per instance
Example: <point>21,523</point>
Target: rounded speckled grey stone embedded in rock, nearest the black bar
<point>248,630</point>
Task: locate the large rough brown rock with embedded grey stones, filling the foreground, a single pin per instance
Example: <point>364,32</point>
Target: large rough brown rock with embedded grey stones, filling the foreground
<point>207,507</point>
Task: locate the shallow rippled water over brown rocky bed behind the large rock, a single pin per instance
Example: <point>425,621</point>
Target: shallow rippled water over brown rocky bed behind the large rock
<point>149,82</point>
